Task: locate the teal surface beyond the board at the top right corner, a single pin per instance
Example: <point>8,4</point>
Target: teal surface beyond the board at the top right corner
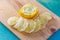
<point>52,5</point>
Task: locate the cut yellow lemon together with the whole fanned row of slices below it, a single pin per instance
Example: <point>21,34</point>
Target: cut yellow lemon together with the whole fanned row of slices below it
<point>26,23</point>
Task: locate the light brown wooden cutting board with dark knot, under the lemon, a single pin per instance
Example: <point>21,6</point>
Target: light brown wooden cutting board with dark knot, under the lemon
<point>10,8</point>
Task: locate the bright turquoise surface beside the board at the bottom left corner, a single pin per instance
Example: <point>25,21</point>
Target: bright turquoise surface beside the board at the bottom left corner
<point>6,34</point>
